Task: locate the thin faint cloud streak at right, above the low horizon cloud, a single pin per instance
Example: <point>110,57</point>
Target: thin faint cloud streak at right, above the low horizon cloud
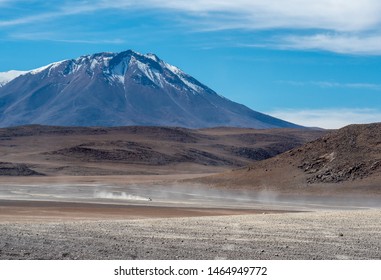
<point>329,84</point>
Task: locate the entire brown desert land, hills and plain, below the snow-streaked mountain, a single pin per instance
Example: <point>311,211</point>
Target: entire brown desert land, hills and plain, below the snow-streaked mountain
<point>160,193</point>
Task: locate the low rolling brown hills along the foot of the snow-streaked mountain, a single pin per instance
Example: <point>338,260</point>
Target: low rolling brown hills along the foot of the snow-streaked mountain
<point>140,150</point>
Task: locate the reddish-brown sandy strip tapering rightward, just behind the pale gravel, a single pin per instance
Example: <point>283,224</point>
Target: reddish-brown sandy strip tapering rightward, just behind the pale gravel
<point>48,211</point>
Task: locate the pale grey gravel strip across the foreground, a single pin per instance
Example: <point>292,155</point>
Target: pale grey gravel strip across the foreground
<point>313,235</point>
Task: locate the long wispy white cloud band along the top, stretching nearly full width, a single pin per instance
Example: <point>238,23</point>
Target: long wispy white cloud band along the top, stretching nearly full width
<point>338,15</point>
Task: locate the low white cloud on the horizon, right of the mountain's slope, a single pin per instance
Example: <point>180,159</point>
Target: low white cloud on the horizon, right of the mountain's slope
<point>328,118</point>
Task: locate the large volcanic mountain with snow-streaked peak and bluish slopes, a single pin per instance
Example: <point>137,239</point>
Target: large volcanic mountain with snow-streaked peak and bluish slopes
<point>119,89</point>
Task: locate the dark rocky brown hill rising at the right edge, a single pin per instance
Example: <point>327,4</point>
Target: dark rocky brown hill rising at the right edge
<point>347,160</point>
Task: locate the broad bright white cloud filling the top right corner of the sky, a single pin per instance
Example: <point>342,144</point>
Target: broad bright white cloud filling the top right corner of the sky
<point>338,15</point>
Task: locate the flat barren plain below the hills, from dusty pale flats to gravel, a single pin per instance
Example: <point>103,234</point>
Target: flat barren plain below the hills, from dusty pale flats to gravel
<point>147,220</point>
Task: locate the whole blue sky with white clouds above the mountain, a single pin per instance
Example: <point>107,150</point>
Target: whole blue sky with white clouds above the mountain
<point>316,63</point>
